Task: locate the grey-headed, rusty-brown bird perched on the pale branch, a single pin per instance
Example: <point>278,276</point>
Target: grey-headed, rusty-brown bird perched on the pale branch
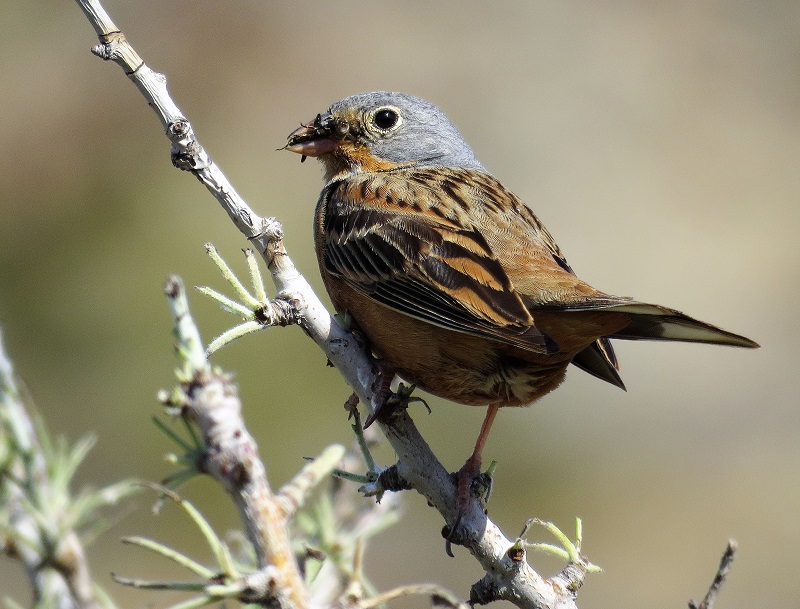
<point>457,286</point>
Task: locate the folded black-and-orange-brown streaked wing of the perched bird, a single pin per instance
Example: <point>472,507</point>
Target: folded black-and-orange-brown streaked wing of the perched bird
<point>407,239</point>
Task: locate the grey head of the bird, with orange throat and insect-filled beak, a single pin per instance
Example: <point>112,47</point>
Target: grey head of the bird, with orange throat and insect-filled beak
<point>382,130</point>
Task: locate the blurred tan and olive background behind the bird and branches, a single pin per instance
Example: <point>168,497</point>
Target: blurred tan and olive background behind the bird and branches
<point>660,143</point>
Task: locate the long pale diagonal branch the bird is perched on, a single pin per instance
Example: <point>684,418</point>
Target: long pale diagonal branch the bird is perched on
<point>417,465</point>
